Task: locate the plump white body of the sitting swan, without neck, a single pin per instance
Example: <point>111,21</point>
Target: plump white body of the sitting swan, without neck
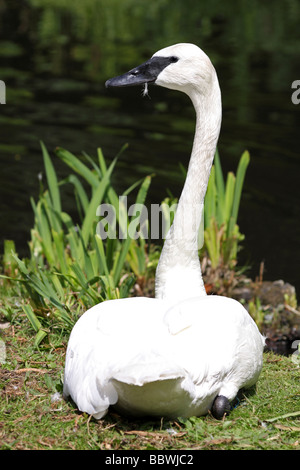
<point>152,359</point>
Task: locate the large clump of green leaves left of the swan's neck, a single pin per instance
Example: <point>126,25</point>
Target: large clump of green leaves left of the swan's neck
<point>71,267</point>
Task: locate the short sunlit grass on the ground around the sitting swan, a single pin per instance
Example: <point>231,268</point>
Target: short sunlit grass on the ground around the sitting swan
<point>34,416</point>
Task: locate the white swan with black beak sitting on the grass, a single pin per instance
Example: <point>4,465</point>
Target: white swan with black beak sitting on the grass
<point>183,353</point>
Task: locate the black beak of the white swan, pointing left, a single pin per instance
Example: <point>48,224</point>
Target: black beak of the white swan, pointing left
<point>144,73</point>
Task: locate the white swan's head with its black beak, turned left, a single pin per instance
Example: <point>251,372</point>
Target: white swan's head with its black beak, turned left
<point>183,67</point>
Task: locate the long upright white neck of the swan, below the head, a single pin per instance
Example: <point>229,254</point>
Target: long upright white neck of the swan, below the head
<point>178,275</point>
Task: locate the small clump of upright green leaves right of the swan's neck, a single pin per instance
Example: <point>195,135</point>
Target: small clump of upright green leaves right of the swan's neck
<point>222,201</point>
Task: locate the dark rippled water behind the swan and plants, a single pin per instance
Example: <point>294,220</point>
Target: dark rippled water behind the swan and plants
<point>55,57</point>
